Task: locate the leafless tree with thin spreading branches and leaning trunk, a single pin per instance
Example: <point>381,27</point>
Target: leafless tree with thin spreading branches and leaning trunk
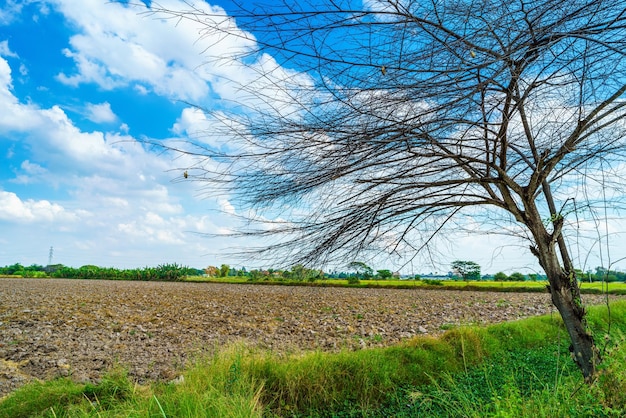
<point>398,119</point>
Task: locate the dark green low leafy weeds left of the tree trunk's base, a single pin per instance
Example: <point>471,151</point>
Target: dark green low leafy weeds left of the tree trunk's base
<point>509,384</point>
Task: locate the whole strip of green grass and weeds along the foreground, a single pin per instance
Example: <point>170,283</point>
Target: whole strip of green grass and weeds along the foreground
<point>516,369</point>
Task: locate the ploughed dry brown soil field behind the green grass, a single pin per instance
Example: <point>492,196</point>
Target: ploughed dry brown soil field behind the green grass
<point>80,328</point>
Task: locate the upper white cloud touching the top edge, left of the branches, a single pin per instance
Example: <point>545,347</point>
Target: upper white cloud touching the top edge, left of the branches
<point>119,47</point>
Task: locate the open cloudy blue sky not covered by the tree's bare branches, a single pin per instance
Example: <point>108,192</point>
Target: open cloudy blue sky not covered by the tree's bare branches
<point>82,84</point>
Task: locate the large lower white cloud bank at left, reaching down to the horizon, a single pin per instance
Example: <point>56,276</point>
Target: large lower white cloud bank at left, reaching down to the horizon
<point>119,195</point>
